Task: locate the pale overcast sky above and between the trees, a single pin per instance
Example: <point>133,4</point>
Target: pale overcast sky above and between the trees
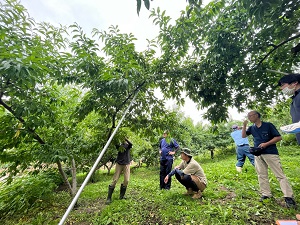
<point>101,14</point>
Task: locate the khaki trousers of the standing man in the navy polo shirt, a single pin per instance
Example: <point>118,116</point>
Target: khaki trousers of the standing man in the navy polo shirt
<point>272,161</point>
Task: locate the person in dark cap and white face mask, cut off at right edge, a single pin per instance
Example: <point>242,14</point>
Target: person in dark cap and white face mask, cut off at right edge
<point>290,85</point>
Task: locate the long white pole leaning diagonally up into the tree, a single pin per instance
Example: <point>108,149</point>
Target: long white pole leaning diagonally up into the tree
<point>95,165</point>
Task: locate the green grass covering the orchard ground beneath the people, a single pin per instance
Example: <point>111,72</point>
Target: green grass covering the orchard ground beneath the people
<point>230,198</point>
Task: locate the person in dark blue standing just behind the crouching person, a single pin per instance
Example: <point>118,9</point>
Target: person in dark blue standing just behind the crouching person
<point>167,149</point>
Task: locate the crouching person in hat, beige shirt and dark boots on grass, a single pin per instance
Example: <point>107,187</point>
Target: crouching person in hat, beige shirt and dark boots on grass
<point>190,174</point>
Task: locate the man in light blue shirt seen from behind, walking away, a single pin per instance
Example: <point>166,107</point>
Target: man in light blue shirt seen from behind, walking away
<point>242,148</point>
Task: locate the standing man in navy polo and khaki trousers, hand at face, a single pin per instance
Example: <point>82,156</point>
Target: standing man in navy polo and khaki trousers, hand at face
<point>266,136</point>
